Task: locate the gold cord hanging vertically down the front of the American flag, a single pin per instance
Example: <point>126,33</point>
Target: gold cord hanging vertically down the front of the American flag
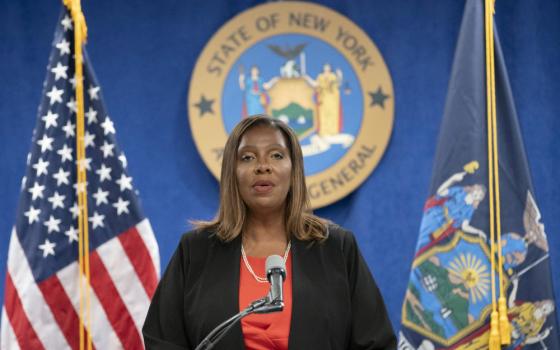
<point>80,35</point>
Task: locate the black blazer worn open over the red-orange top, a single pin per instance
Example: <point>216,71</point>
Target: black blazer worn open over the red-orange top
<point>335,301</point>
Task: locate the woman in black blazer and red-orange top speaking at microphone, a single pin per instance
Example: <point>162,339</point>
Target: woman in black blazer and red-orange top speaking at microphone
<point>331,300</point>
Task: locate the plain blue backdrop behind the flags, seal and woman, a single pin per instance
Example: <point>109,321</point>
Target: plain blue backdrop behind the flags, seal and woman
<point>144,51</point>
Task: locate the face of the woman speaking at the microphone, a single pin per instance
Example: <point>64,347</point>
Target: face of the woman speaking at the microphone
<point>263,169</point>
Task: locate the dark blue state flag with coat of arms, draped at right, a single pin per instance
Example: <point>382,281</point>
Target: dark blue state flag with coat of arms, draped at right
<point>449,296</point>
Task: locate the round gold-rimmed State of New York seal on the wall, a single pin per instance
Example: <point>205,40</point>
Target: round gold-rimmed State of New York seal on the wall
<point>310,67</point>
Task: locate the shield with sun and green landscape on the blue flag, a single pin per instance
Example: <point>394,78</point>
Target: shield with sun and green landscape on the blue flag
<point>449,295</point>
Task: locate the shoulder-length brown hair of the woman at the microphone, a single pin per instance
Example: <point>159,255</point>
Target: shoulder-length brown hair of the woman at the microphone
<point>232,214</point>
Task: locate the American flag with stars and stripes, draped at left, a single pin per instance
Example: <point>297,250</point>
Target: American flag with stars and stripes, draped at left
<point>41,304</point>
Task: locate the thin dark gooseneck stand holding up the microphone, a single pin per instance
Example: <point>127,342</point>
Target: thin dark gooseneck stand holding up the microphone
<point>260,306</point>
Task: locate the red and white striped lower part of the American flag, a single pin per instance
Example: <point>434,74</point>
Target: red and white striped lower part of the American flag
<point>124,274</point>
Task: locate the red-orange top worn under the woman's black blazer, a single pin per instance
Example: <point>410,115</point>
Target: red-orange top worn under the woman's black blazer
<point>264,331</point>
